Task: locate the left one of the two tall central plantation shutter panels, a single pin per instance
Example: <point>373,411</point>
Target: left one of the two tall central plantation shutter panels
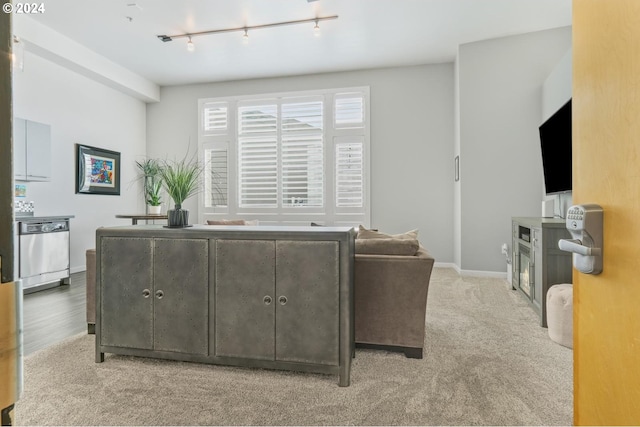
<point>258,156</point>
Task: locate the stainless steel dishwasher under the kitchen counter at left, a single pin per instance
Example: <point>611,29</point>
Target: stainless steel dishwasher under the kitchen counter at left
<point>44,253</point>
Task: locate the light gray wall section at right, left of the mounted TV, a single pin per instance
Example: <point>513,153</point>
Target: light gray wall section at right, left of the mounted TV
<point>499,83</point>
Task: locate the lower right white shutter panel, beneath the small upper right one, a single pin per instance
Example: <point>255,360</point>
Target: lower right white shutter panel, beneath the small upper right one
<point>349,172</point>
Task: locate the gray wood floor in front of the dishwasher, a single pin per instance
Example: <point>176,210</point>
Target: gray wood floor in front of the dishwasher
<point>54,314</point>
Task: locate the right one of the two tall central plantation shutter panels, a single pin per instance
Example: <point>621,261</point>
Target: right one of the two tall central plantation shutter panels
<point>302,154</point>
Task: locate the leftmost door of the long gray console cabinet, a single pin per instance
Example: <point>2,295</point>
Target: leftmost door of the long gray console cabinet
<point>126,307</point>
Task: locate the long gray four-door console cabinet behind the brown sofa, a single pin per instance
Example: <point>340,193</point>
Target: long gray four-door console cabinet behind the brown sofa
<point>270,297</point>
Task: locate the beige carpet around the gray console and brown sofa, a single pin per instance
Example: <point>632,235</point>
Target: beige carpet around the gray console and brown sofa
<point>486,362</point>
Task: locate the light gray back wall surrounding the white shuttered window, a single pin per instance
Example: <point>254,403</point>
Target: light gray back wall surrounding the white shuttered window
<point>411,140</point>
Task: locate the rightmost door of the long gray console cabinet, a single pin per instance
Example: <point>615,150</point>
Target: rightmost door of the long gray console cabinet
<point>307,323</point>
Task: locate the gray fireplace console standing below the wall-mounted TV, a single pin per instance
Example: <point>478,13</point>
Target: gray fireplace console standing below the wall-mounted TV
<point>538,263</point>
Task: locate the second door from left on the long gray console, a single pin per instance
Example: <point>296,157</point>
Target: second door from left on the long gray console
<point>181,295</point>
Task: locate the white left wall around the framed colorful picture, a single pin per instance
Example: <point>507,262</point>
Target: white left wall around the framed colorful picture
<point>82,111</point>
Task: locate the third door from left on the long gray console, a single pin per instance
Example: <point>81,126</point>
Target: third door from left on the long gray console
<point>244,298</point>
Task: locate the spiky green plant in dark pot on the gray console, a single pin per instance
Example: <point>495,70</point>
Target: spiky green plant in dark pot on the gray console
<point>181,179</point>
